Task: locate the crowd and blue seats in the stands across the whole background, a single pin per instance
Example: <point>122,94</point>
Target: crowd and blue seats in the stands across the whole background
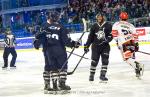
<point>138,11</point>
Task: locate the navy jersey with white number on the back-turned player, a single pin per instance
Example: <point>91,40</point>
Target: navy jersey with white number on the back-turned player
<point>54,36</point>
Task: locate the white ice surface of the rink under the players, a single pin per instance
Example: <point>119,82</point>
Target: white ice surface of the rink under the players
<point>27,80</point>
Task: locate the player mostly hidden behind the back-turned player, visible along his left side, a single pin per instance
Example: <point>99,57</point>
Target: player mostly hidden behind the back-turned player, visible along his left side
<point>40,40</point>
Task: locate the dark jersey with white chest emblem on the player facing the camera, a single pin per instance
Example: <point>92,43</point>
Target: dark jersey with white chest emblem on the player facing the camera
<point>100,33</point>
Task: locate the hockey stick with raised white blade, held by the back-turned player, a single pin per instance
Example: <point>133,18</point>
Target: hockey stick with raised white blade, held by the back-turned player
<point>85,29</point>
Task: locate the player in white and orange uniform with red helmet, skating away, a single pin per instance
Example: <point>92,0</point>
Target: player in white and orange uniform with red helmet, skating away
<point>126,37</point>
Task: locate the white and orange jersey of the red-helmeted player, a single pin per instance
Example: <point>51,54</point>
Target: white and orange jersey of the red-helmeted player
<point>123,32</point>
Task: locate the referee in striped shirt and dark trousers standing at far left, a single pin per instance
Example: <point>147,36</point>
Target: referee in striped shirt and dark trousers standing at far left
<point>10,43</point>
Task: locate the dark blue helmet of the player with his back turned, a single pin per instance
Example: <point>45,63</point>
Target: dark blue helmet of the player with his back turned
<point>54,16</point>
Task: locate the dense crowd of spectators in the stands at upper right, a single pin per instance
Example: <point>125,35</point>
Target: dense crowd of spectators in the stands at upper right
<point>111,8</point>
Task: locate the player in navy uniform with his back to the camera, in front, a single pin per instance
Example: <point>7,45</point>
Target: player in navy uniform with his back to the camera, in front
<point>55,39</point>
